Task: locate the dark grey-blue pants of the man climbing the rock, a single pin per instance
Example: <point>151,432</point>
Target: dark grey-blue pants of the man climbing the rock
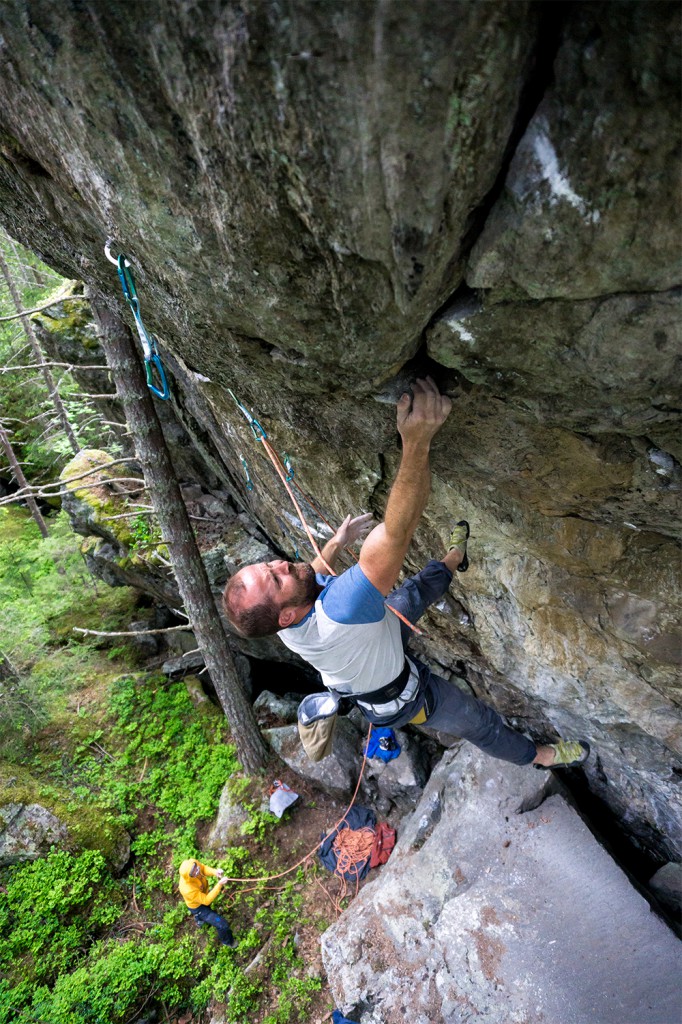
<point>448,708</point>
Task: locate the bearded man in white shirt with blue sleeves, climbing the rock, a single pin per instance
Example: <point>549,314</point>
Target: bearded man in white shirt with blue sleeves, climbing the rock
<point>340,625</point>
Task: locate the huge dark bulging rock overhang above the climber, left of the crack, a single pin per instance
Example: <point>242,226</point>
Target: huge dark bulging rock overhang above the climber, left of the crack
<point>299,177</point>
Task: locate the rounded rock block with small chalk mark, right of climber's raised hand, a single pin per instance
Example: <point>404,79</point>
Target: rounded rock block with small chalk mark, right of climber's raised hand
<point>557,361</point>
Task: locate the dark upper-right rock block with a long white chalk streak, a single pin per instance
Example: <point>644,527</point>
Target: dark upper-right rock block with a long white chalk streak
<point>592,174</point>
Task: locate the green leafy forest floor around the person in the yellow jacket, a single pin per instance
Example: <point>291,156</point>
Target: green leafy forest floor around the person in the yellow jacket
<point>105,735</point>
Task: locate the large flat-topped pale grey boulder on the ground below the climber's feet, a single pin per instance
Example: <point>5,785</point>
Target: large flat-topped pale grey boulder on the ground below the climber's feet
<point>484,914</point>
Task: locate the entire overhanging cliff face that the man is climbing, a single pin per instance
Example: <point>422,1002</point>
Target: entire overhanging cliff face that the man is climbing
<point>321,201</point>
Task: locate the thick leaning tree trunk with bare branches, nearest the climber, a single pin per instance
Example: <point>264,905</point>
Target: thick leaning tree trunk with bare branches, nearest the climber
<point>178,533</point>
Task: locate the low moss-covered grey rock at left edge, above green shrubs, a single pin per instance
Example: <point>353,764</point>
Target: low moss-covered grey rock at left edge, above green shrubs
<point>25,799</point>
